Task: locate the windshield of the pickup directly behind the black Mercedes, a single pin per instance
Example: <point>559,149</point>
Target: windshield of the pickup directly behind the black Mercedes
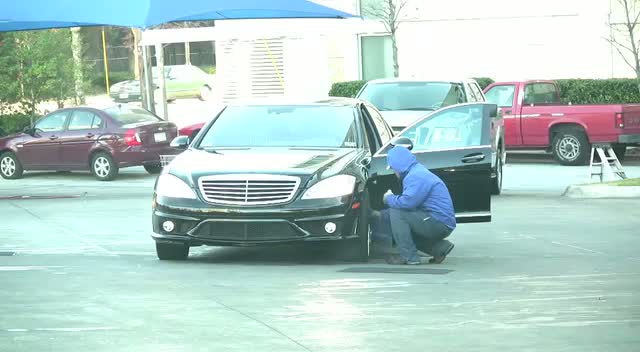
<point>413,95</point>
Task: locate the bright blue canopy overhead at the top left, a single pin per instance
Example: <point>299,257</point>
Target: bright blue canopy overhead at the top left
<point>20,15</point>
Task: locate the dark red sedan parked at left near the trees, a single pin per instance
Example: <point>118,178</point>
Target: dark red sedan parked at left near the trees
<point>101,140</point>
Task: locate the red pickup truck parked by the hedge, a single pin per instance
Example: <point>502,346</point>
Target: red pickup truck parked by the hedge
<point>534,118</point>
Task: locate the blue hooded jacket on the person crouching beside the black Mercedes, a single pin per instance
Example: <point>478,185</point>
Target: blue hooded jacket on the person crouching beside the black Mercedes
<point>421,189</point>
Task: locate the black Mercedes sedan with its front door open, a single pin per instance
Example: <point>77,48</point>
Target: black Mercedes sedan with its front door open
<point>278,173</point>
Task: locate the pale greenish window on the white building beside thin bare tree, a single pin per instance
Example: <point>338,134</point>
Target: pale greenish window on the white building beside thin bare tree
<point>376,57</point>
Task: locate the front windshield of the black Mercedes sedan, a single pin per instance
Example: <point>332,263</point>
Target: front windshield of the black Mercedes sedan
<point>283,126</point>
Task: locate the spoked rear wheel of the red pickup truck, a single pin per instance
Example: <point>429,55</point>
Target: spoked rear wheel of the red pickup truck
<point>571,146</point>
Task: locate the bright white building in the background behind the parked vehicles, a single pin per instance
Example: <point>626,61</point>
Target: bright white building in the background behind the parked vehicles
<point>501,39</point>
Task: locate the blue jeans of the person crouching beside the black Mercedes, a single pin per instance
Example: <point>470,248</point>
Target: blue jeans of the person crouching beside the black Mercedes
<point>410,230</point>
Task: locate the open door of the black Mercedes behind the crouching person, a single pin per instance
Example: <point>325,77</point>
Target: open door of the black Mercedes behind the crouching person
<point>454,143</point>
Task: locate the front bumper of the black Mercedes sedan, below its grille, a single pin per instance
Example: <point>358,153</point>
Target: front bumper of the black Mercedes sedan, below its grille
<point>199,224</point>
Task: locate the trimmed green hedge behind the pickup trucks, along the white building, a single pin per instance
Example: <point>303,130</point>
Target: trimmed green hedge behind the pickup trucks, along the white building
<point>574,91</point>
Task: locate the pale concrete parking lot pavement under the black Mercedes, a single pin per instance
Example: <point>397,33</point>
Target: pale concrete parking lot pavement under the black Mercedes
<point>79,272</point>
